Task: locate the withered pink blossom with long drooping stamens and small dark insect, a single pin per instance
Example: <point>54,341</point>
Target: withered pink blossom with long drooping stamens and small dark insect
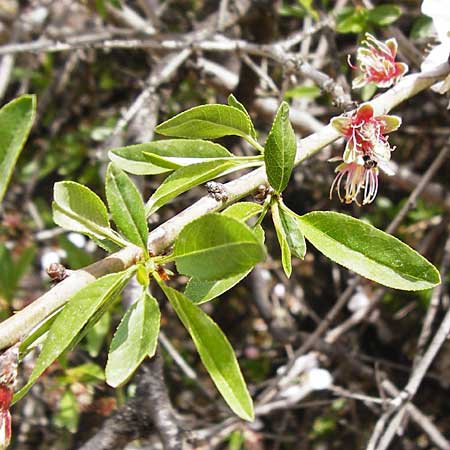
<point>366,151</point>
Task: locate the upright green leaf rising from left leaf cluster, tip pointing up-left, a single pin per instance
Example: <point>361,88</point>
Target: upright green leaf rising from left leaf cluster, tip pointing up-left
<point>126,206</point>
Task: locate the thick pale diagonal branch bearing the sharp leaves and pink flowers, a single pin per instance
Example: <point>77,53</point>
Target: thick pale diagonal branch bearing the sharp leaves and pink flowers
<point>14,328</point>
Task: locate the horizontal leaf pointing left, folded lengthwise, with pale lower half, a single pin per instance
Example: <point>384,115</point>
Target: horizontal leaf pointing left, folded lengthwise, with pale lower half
<point>164,156</point>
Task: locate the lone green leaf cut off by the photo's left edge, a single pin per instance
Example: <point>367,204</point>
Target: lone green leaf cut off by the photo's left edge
<point>16,119</point>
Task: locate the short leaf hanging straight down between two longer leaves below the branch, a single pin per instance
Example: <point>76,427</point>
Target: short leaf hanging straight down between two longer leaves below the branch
<point>135,338</point>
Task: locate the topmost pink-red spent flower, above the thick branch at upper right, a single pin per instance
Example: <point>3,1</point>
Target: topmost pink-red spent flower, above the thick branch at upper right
<point>376,60</point>
